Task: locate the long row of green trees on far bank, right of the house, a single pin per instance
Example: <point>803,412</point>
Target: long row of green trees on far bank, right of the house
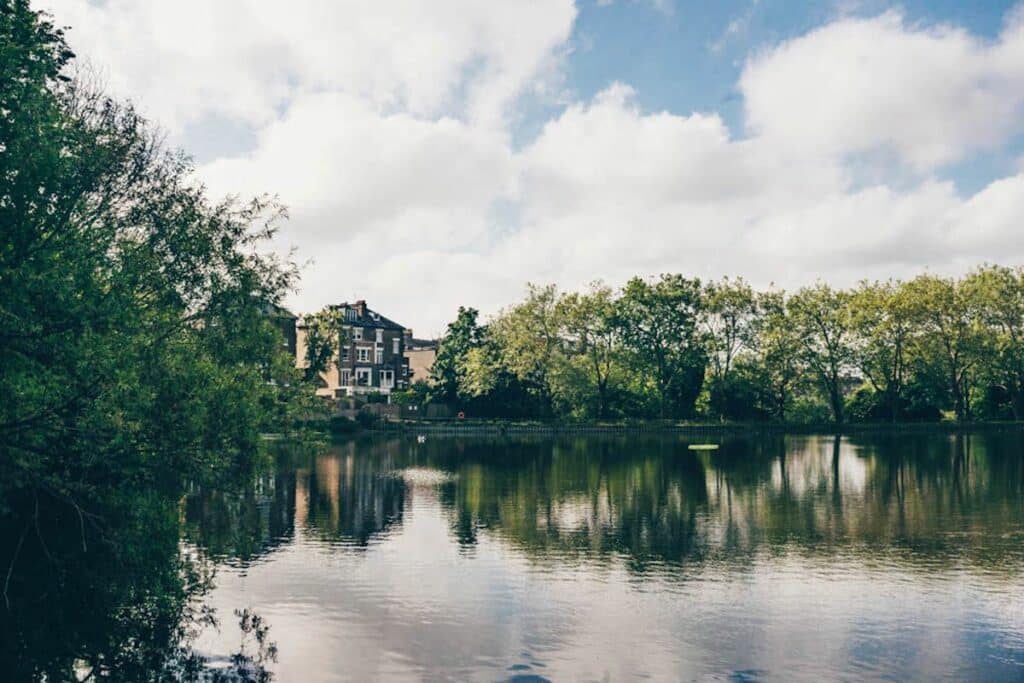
<point>673,348</point>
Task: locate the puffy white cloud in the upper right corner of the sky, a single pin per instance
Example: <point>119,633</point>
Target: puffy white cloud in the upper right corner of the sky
<point>926,96</point>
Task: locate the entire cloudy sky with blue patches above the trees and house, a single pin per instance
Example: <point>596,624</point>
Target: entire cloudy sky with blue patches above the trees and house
<point>445,153</point>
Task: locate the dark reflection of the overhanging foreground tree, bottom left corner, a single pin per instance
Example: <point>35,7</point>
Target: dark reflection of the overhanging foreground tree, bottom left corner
<point>102,589</point>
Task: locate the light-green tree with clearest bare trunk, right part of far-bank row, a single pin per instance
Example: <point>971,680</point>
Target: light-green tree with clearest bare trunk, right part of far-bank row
<point>821,317</point>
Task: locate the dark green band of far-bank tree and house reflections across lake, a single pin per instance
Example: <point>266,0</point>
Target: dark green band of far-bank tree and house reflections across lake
<point>648,501</point>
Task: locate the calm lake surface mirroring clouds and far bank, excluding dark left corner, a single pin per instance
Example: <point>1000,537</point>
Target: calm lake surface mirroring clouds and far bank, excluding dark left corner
<point>804,559</point>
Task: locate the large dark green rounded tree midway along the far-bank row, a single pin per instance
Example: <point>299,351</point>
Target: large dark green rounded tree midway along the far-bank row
<point>658,322</point>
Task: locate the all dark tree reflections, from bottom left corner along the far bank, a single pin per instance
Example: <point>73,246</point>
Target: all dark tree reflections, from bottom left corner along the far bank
<point>122,592</point>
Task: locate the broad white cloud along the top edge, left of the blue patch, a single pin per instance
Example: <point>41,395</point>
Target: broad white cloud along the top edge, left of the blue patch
<point>246,60</point>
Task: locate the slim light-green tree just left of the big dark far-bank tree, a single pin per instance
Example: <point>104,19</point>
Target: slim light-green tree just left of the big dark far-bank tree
<point>591,338</point>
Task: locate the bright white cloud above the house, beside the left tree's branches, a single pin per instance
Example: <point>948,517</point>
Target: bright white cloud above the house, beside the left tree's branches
<point>347,169</point>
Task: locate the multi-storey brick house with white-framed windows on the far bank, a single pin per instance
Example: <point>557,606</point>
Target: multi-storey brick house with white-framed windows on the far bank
<point>371,357</point>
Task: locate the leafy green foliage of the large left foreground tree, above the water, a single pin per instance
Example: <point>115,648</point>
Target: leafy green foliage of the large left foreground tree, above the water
<point>134,312</point>
